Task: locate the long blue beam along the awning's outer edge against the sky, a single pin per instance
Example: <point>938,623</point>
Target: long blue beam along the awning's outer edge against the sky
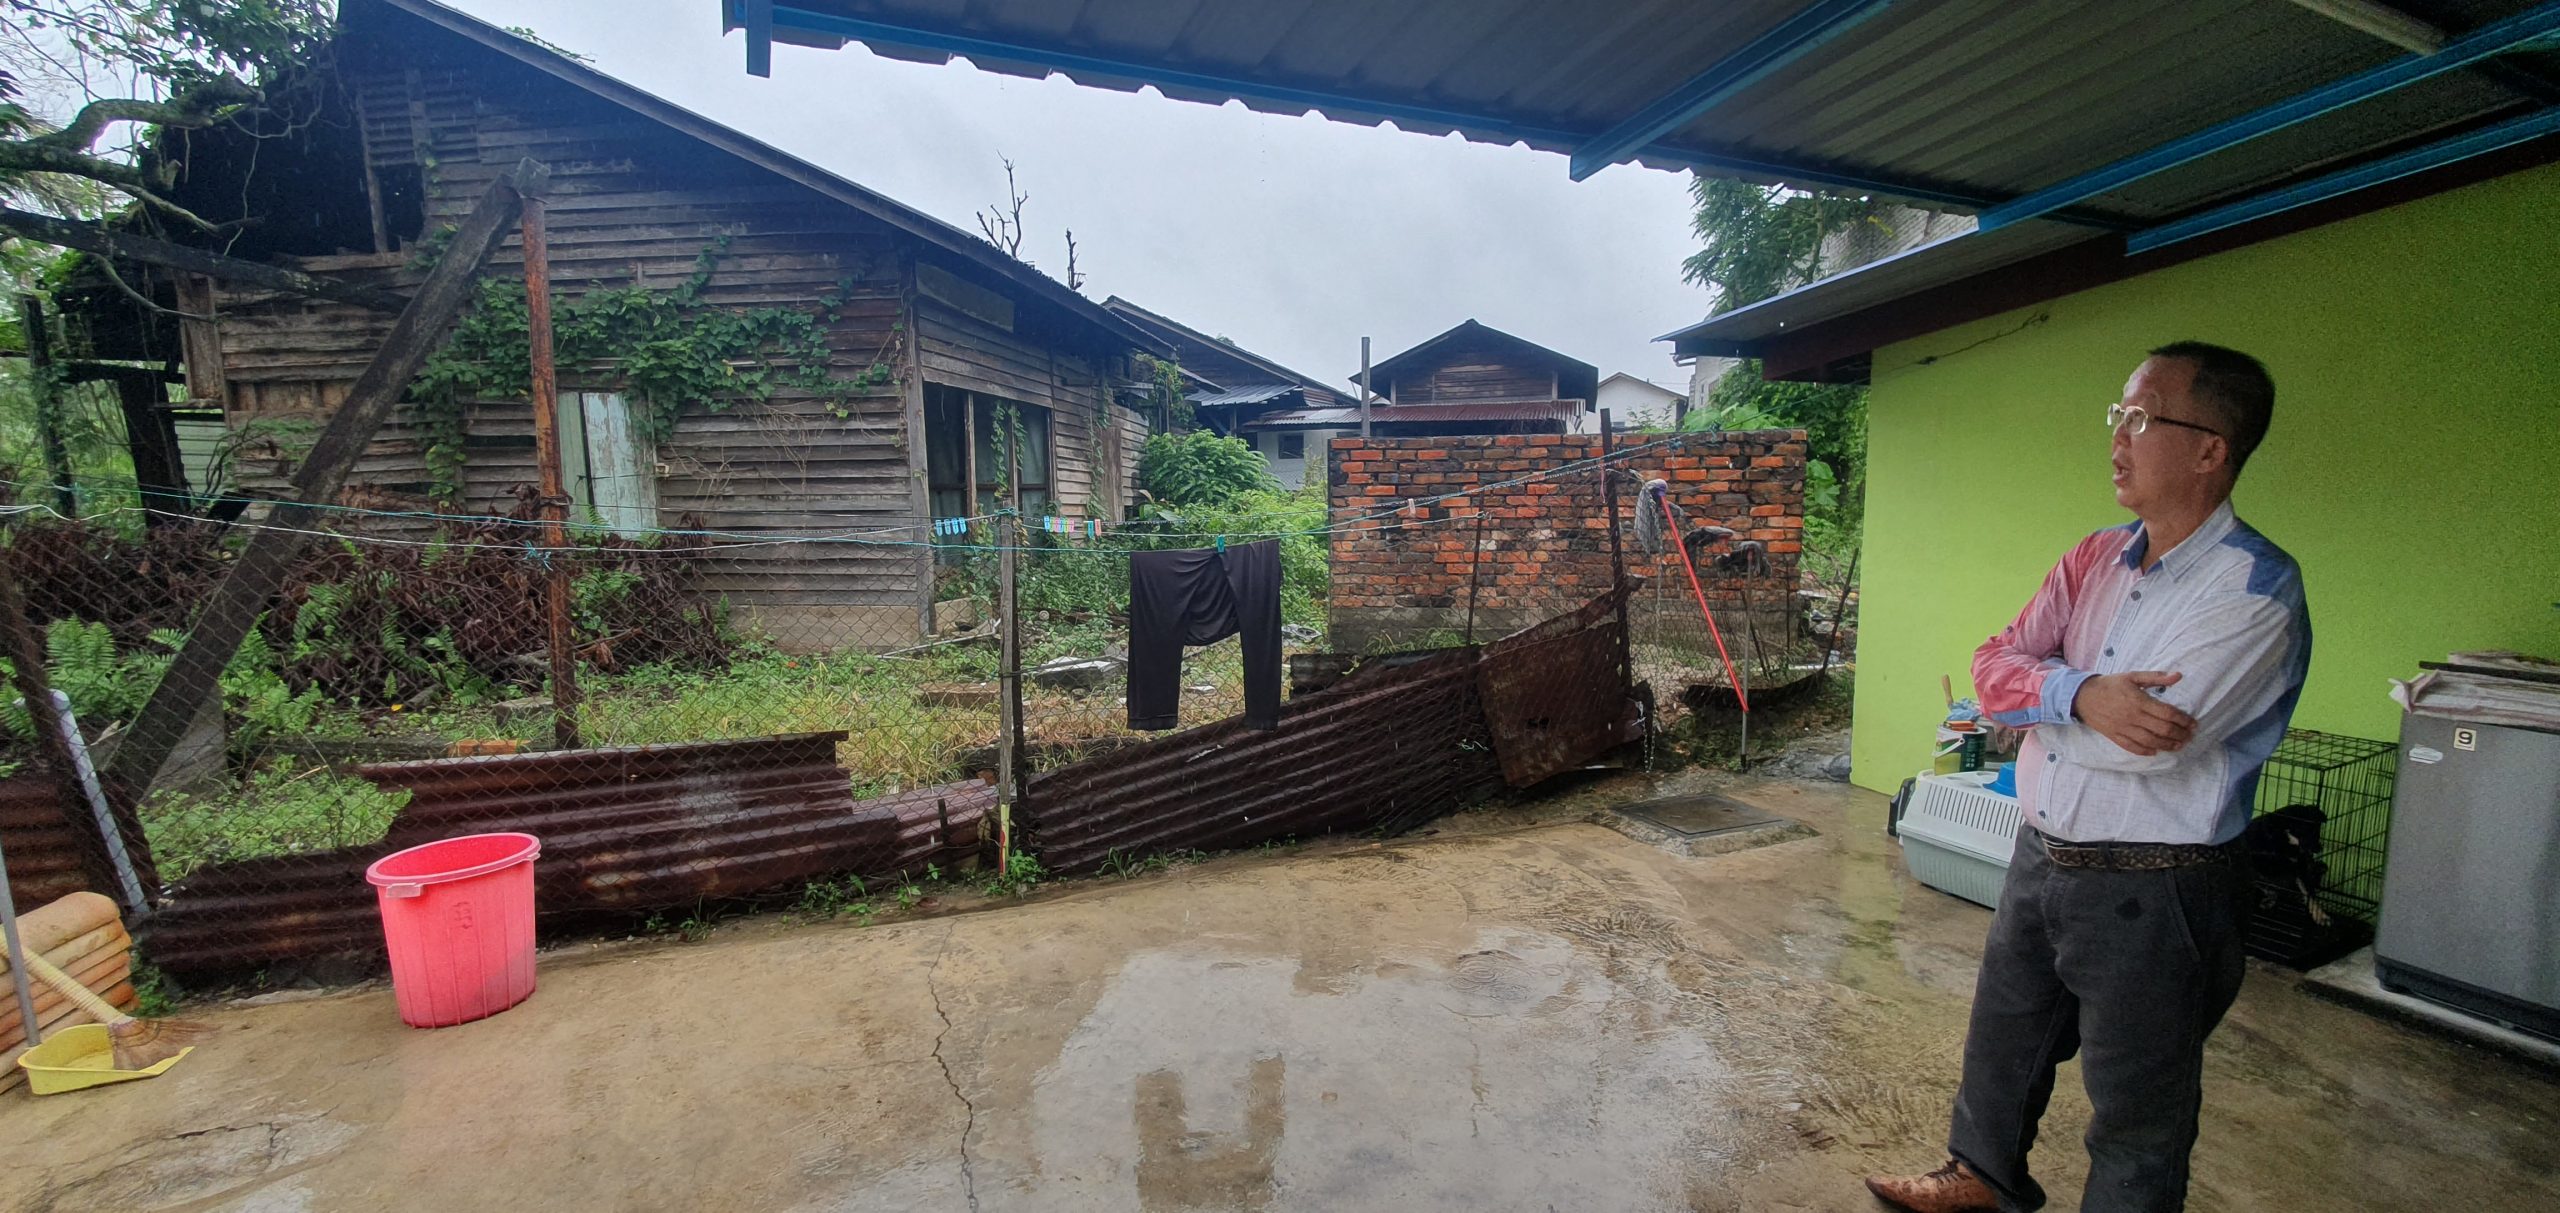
<point>925,40</point>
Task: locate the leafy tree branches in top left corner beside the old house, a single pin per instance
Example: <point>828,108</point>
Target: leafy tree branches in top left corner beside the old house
<point>175,65</point>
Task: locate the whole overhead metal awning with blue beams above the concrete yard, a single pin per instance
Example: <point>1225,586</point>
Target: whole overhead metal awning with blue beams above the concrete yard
<point>2131,129</point>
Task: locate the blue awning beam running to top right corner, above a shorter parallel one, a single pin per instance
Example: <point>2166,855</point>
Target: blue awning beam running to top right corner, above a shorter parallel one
<point>2492,40</point>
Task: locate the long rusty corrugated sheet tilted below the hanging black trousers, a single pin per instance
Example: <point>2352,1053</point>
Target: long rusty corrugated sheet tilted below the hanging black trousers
<point>1384,749</point>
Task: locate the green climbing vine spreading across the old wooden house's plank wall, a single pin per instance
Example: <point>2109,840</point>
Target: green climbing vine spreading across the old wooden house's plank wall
<point>662,347</point>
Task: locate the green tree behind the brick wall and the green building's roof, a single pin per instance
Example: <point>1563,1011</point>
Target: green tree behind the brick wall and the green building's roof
<point>1760,242</point>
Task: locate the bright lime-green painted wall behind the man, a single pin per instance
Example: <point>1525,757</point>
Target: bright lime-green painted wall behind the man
<point>2413,467</point>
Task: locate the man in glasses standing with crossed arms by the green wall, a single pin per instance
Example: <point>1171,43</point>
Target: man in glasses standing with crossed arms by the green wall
<point>2154,674</point>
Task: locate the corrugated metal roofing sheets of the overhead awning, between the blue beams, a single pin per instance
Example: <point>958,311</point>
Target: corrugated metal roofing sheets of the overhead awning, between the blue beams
<point>1955,101</point>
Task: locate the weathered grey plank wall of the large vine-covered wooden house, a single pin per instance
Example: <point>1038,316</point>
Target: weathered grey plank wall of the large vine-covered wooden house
<point>639,203</point>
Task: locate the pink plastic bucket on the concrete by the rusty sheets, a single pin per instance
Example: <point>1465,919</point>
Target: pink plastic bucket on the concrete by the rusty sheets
<point>457,917</point>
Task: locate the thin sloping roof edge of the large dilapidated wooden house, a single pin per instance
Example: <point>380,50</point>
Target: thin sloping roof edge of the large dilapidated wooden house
<point>780,163</point>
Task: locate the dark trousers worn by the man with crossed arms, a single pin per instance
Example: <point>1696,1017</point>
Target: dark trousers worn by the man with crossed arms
<point>2126,969</point>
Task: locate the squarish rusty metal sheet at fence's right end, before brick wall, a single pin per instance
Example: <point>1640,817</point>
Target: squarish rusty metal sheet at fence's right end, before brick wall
<point>1555,692</point>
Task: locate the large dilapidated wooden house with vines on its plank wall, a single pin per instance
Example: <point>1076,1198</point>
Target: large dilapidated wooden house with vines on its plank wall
<point>928,329</point>
